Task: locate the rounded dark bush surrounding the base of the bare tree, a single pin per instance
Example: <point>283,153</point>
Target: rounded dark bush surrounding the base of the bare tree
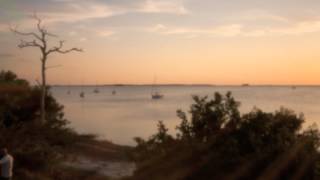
<point>35,145</point>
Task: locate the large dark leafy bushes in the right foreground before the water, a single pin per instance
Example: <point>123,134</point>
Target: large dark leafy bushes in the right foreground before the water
<point>217,142</point>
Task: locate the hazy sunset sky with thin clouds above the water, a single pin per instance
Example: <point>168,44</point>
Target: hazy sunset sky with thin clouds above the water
<point>179,41</point>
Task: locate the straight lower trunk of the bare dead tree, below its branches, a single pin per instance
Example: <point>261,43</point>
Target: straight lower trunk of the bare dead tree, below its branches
<point>43,91</point>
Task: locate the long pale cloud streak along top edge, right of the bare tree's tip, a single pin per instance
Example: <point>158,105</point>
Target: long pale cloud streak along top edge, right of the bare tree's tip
<point>84,10</point>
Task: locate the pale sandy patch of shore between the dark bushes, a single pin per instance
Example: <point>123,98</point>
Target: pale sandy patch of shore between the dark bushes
<point>102,158</point>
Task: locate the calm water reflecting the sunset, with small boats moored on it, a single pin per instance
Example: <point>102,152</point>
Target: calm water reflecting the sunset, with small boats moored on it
<point>131,112</point>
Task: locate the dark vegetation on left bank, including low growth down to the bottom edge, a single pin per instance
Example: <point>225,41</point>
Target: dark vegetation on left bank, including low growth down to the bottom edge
<point>39,148</point>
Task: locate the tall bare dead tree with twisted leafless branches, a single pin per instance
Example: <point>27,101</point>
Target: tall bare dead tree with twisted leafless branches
<point>40,41</point>
